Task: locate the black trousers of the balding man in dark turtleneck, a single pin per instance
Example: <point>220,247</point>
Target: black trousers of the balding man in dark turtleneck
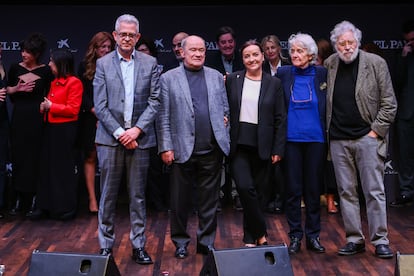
<point>203,172</point>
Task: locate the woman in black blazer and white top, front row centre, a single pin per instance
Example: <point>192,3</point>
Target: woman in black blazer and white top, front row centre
<point>257,133</point>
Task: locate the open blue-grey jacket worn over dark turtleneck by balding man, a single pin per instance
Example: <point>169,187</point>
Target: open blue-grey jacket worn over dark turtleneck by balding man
<point>176,121</point>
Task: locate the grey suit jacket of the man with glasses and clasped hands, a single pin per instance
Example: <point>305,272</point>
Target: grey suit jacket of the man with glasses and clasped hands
<point>109,98</point>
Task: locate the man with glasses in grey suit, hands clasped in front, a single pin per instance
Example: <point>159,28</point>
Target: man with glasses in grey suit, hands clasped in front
<point>126,98</point>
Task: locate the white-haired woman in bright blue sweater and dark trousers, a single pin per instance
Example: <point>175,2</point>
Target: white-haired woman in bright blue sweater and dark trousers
<point>304,86</point>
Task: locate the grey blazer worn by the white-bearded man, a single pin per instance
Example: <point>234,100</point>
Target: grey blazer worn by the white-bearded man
<point>374,94</point>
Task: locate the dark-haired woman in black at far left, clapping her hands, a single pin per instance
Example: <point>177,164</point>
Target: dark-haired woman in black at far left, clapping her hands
<point>28,82</point>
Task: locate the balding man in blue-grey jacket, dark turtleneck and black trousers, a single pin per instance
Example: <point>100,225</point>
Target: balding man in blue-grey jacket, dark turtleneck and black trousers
<point>193,137</point>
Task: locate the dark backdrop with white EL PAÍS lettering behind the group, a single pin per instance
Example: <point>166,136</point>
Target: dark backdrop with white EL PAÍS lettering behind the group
<point>72,26</point>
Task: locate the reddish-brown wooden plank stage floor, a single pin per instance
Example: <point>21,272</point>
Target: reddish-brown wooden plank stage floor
<point>19,237</point>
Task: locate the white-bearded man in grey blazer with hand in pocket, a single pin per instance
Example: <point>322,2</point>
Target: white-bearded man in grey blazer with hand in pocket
<point>360,108</point>
